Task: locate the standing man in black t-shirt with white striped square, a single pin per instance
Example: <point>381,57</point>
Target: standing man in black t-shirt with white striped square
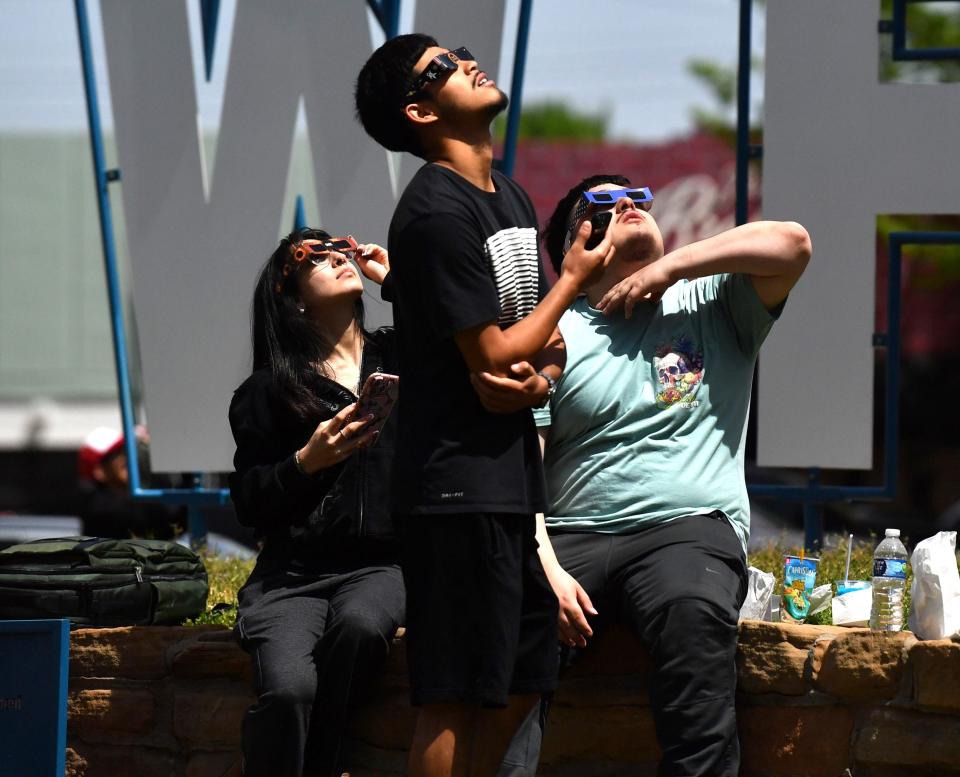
<point>469,297</point>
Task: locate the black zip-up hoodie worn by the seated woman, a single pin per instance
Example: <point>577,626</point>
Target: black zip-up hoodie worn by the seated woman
<point>342,510</point>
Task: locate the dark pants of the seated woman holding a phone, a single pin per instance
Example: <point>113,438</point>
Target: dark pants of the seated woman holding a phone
<point>313,637</point>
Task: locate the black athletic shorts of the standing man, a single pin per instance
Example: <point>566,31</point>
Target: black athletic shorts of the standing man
<point>481,616</point>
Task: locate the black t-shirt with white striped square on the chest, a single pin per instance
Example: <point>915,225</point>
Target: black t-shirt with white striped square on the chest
<point>460,257</point>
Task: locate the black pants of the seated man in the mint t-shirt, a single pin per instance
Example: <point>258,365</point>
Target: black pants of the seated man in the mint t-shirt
<point>679,587</point>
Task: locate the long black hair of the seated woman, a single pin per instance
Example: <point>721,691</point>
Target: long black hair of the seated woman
<point>285,341</point>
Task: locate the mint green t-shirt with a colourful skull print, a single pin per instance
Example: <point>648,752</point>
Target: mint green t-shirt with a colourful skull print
<point>648,421</point>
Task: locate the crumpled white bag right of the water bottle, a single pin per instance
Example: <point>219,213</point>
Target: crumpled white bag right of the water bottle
<point>935,592</point>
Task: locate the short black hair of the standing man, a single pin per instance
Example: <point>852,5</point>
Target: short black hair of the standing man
<point>381,89</point>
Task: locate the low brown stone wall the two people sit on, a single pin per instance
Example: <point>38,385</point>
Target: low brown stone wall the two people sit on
<point>814,701</point>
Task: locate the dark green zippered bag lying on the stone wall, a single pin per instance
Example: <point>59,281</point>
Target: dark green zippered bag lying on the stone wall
<point>95,581</point>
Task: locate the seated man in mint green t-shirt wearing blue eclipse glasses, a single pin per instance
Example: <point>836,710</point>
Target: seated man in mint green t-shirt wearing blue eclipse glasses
<point>644,436</point>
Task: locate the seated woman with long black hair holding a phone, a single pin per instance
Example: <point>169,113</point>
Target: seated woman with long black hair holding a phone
<point>326,596</point>
